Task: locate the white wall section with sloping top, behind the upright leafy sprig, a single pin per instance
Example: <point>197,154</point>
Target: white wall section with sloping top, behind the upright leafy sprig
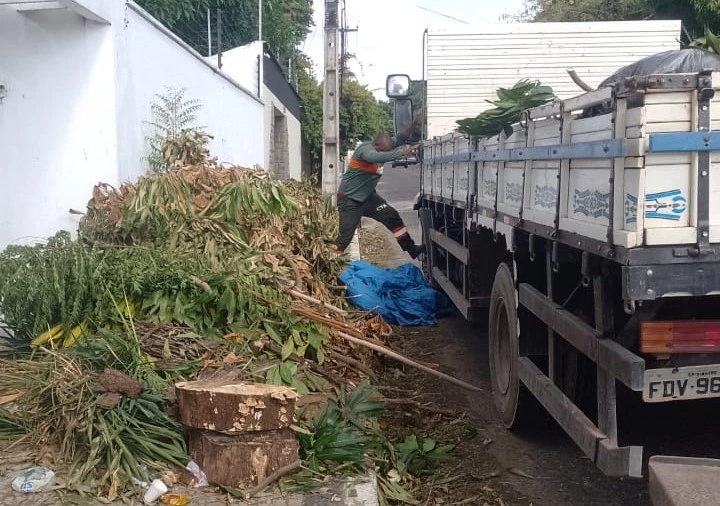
<point>149,59</point>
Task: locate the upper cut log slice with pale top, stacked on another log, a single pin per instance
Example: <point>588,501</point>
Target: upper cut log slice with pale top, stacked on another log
<point>235,407</point>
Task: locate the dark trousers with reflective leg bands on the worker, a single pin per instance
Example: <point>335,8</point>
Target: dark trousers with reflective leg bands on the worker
<point>375,207</point>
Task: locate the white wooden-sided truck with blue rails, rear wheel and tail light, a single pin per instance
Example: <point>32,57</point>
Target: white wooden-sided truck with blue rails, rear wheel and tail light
<point>592,236</point>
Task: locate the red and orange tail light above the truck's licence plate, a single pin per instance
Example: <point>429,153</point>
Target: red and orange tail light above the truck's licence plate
<point>680,337</point>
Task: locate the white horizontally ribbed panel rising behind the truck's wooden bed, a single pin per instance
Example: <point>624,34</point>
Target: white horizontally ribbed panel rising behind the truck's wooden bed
<point>464,69</point>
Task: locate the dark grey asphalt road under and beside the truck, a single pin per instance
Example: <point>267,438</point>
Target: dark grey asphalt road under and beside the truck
<point>553,470</point>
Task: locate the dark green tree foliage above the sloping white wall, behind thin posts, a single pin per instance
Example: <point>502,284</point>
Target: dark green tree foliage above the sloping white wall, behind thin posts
<point>286,23</point>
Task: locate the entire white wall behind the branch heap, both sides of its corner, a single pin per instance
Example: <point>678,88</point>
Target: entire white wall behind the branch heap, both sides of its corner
<point>80,83</point>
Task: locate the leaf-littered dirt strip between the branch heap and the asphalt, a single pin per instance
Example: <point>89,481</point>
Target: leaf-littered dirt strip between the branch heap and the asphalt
<point>429,407</point>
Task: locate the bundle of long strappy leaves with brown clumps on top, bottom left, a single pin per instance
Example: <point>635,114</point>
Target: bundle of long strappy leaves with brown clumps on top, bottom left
<point>104,428</point>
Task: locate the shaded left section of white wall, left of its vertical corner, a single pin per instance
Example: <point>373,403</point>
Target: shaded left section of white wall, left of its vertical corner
<point>57,124</point>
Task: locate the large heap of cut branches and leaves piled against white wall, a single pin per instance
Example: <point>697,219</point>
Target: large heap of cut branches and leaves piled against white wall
<point>181,275</point>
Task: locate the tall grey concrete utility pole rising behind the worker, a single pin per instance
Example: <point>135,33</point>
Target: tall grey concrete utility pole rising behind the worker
<point>331,104</point>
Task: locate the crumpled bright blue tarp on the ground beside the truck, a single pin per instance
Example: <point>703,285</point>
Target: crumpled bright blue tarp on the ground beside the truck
<point>400,295</point>
